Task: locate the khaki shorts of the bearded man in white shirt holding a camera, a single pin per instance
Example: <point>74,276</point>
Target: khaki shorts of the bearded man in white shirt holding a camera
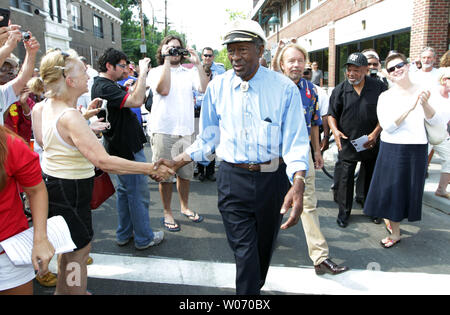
<point>168,147</point>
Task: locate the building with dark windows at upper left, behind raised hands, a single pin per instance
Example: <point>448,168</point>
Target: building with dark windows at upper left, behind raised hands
<point>87,26</point>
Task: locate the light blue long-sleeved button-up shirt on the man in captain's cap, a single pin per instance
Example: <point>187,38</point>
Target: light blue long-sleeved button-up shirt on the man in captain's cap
<point>256,124</point>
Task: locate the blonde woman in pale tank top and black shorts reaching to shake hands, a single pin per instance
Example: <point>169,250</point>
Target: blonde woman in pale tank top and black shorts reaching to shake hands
<point>71,150</point>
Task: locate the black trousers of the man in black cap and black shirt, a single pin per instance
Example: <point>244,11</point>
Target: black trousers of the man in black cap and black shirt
<point>346,181</point>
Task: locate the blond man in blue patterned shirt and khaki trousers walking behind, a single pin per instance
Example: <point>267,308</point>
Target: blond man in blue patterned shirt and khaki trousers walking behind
<point>292,62</point>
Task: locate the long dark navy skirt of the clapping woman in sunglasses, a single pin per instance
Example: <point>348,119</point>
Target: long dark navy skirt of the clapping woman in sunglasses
<point>398,181</point>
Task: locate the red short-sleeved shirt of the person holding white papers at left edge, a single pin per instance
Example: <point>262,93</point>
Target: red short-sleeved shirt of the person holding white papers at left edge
<point>22,168</point>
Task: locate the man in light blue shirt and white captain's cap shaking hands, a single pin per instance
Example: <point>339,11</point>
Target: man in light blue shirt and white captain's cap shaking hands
<point>252,119</point>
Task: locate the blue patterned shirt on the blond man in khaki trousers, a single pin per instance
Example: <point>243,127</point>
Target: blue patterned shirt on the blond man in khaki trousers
<point>310,104</point>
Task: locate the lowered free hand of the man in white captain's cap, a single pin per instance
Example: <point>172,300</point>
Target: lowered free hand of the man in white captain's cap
<point>294,200</point>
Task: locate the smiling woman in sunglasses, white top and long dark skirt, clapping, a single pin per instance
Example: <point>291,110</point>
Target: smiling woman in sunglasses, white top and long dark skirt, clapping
<point>398,180</point>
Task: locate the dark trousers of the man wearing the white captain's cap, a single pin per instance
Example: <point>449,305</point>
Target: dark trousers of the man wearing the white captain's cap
<point>250,204</point>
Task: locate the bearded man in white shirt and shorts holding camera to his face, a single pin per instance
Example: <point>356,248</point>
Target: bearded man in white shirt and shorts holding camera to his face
<point>171,123</point>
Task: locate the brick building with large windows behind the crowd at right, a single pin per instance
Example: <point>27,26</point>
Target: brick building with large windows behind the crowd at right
<point>332,29</point>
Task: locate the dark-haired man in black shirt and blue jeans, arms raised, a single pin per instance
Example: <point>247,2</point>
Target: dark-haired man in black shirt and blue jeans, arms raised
<point>125,139</point>
